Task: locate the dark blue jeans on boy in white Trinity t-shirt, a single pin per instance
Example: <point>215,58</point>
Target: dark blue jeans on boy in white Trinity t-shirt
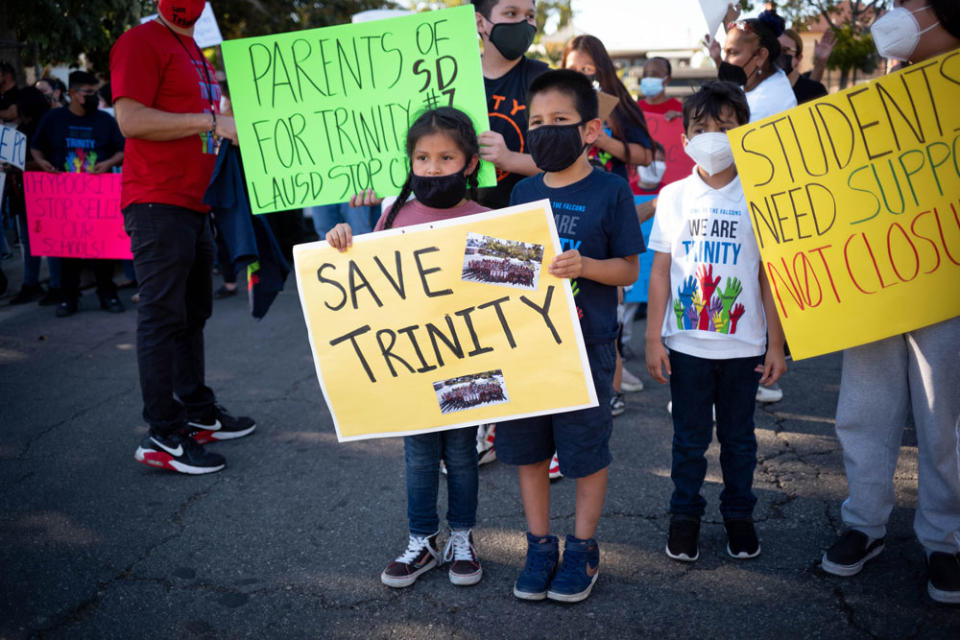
<point>696,384</point>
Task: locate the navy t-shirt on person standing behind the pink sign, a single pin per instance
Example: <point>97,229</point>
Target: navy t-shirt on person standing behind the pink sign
<point>73,143</point>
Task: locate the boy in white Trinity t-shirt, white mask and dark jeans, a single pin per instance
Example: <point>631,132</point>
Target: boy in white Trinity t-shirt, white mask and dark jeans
<point>711,303</point>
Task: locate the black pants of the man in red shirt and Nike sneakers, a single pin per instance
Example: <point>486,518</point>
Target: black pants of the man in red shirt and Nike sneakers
<point>173,258</point>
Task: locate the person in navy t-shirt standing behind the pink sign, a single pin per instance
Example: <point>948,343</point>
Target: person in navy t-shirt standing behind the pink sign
<point>80,138</point>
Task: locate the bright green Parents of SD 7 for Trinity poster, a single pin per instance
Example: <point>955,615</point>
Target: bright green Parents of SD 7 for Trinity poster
<point>323,113</point>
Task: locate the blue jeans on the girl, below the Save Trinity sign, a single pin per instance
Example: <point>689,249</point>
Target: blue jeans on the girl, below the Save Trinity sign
<point>458,449</point>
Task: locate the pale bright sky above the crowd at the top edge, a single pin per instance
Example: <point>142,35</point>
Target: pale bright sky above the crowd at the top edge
<point>647,24</point>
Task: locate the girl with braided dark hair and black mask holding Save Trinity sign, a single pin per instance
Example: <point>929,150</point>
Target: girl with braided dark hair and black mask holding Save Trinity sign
<point>444,157</point>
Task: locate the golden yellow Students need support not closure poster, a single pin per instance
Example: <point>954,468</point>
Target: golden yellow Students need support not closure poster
<point>855,203</point>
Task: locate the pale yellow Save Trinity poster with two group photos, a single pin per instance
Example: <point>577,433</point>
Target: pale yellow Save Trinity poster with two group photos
<point>438,326</point>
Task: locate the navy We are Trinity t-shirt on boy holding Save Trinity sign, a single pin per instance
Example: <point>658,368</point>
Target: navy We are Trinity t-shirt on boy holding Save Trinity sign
<point>596,216</point>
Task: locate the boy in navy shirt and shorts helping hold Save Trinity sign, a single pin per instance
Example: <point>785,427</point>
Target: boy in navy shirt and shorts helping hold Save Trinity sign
<point>601,237</point>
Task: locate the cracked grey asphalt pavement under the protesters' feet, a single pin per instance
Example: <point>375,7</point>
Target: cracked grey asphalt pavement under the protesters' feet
<point>289,540</point>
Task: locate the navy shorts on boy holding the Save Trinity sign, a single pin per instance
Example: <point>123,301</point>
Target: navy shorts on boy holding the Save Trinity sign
<point>580,438</point>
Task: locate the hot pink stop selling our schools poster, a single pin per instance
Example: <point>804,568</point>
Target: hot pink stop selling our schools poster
<point>75,215</point>
